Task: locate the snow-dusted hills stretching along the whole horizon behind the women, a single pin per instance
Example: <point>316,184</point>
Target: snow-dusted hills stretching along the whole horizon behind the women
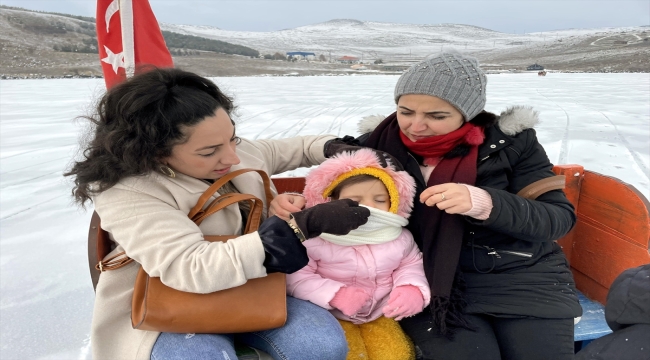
<point>32,46</point>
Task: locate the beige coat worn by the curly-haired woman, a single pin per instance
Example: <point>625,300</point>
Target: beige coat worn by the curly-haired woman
<point>147,217</point>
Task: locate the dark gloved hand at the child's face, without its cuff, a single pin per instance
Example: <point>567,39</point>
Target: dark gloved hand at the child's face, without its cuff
<point>337,217</point>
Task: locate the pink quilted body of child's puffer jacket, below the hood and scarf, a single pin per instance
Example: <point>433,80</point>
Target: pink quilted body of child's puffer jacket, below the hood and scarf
<point>377,268</point>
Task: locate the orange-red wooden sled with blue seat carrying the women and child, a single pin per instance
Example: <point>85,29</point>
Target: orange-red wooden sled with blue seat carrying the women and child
<point>612,234</point>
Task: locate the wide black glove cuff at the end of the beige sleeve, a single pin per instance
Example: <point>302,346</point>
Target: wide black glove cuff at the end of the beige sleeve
<point>283,251</point>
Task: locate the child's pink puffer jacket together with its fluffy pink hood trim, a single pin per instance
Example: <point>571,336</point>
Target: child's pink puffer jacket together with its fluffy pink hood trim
<point>377,268</point>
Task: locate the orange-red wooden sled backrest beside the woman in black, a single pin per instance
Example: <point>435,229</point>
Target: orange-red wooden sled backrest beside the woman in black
<point>612,232</point>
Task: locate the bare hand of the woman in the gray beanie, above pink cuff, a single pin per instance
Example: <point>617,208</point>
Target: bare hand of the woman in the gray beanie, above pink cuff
<point>450,197</point>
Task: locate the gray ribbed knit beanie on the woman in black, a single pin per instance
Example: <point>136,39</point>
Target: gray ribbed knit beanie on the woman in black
<point>453,77</point>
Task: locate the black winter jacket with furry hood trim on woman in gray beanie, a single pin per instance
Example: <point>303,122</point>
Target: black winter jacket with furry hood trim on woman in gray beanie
<point>511,265</point>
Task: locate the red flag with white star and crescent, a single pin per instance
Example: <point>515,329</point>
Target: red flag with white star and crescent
<point>128,37</point>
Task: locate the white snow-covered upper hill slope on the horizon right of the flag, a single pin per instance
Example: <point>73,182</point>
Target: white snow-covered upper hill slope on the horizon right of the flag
<point>374,40</point>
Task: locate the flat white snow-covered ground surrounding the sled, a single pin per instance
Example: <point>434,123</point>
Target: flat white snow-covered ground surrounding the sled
<point>601,121</point>
